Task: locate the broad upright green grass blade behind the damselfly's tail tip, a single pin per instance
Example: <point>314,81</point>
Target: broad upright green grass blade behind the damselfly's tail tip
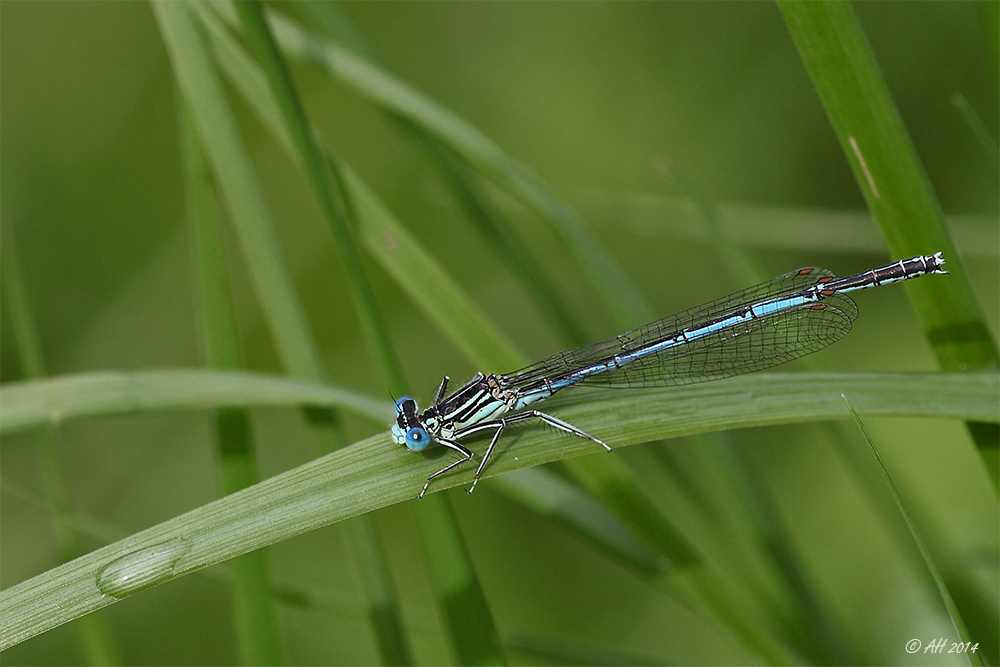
<point>890,175</point>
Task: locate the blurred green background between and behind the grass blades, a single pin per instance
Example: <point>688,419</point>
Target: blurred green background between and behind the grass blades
<point>590,96</point>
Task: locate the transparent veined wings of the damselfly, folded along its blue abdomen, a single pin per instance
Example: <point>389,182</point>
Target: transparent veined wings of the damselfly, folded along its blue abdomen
<point>750,346</point>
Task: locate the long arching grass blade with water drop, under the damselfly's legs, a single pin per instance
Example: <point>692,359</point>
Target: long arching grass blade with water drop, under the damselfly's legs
<point>374,473</point>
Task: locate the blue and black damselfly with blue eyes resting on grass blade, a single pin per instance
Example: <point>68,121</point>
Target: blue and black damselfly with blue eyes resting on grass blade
<point>785,318</point>
